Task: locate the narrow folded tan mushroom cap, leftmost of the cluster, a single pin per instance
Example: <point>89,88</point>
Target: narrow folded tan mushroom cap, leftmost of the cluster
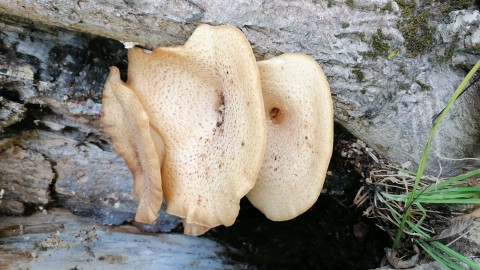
<point>141,147</point>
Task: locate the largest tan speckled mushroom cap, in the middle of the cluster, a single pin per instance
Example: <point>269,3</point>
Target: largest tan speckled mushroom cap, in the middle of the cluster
<point>205,100</point>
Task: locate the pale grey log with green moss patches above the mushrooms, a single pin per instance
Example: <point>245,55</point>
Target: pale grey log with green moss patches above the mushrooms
<point>389,74</point>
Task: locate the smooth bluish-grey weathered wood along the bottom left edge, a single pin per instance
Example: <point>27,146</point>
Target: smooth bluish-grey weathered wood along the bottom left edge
<point>59,239</point>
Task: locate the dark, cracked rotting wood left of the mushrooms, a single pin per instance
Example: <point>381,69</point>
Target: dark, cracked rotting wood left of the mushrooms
<point>51,82</point>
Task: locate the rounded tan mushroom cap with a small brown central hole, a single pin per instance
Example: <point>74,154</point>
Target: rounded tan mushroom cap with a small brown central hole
<point>299,112</point>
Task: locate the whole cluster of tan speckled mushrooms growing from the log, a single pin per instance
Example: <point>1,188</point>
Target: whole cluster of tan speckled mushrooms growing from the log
<point>203,125</point>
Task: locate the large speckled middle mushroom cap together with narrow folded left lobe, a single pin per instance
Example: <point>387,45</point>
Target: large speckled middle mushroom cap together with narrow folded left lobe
<point>202,100</point>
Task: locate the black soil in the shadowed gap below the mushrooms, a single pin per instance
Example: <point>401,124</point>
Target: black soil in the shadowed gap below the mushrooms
<point>331,235</point>
